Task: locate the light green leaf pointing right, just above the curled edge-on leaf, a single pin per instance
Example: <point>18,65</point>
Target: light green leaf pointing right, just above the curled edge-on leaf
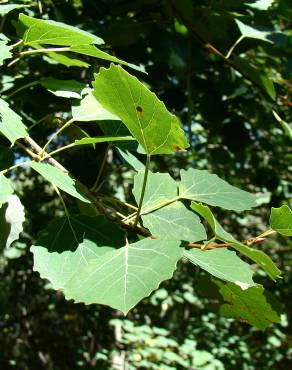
<point>204,187</point>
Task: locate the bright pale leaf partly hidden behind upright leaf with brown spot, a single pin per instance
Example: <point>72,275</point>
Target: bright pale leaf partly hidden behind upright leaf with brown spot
<point>89,109</point>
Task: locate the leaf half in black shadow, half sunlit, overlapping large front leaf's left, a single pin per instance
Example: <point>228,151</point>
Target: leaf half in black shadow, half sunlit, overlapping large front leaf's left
<point>67,244</point>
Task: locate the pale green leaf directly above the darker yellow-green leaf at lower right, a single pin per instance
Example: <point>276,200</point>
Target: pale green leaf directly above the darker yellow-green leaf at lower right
<point>223,264</point>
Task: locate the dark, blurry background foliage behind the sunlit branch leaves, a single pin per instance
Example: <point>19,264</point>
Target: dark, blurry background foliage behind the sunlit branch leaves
<point>228,120</point>
